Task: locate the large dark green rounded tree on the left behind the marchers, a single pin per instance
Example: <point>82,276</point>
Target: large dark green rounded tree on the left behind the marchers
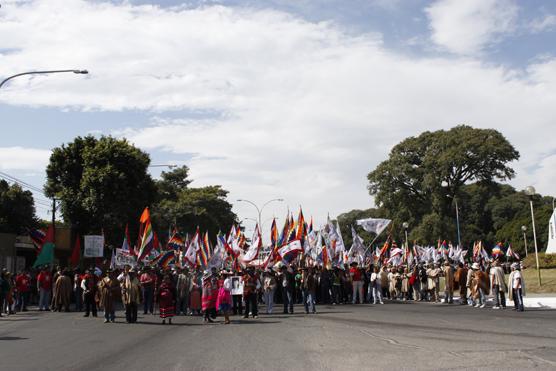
<point>102,184</point>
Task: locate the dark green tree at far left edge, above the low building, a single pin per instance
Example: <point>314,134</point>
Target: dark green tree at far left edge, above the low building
<point>17,209</point>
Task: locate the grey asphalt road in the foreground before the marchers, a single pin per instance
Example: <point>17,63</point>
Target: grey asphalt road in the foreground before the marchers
<point>393,336</point>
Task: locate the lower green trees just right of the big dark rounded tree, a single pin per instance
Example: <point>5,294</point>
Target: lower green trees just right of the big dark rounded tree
<point>187,207</point>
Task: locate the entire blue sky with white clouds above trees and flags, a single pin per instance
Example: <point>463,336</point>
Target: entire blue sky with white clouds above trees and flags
<point>292,99</point>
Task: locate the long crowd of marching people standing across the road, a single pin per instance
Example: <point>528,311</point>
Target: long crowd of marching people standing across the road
<point>176,291</point>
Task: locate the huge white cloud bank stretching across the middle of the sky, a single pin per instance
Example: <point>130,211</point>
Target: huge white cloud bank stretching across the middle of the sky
<point>308,110</point>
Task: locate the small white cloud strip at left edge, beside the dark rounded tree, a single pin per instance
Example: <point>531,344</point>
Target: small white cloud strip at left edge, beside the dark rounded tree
<point>19,158</point>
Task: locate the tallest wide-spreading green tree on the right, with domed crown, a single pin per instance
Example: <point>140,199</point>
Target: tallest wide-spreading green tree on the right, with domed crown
<point>423,176</point>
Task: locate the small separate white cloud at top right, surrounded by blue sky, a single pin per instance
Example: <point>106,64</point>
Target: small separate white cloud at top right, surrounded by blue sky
<point>469,26</point>
